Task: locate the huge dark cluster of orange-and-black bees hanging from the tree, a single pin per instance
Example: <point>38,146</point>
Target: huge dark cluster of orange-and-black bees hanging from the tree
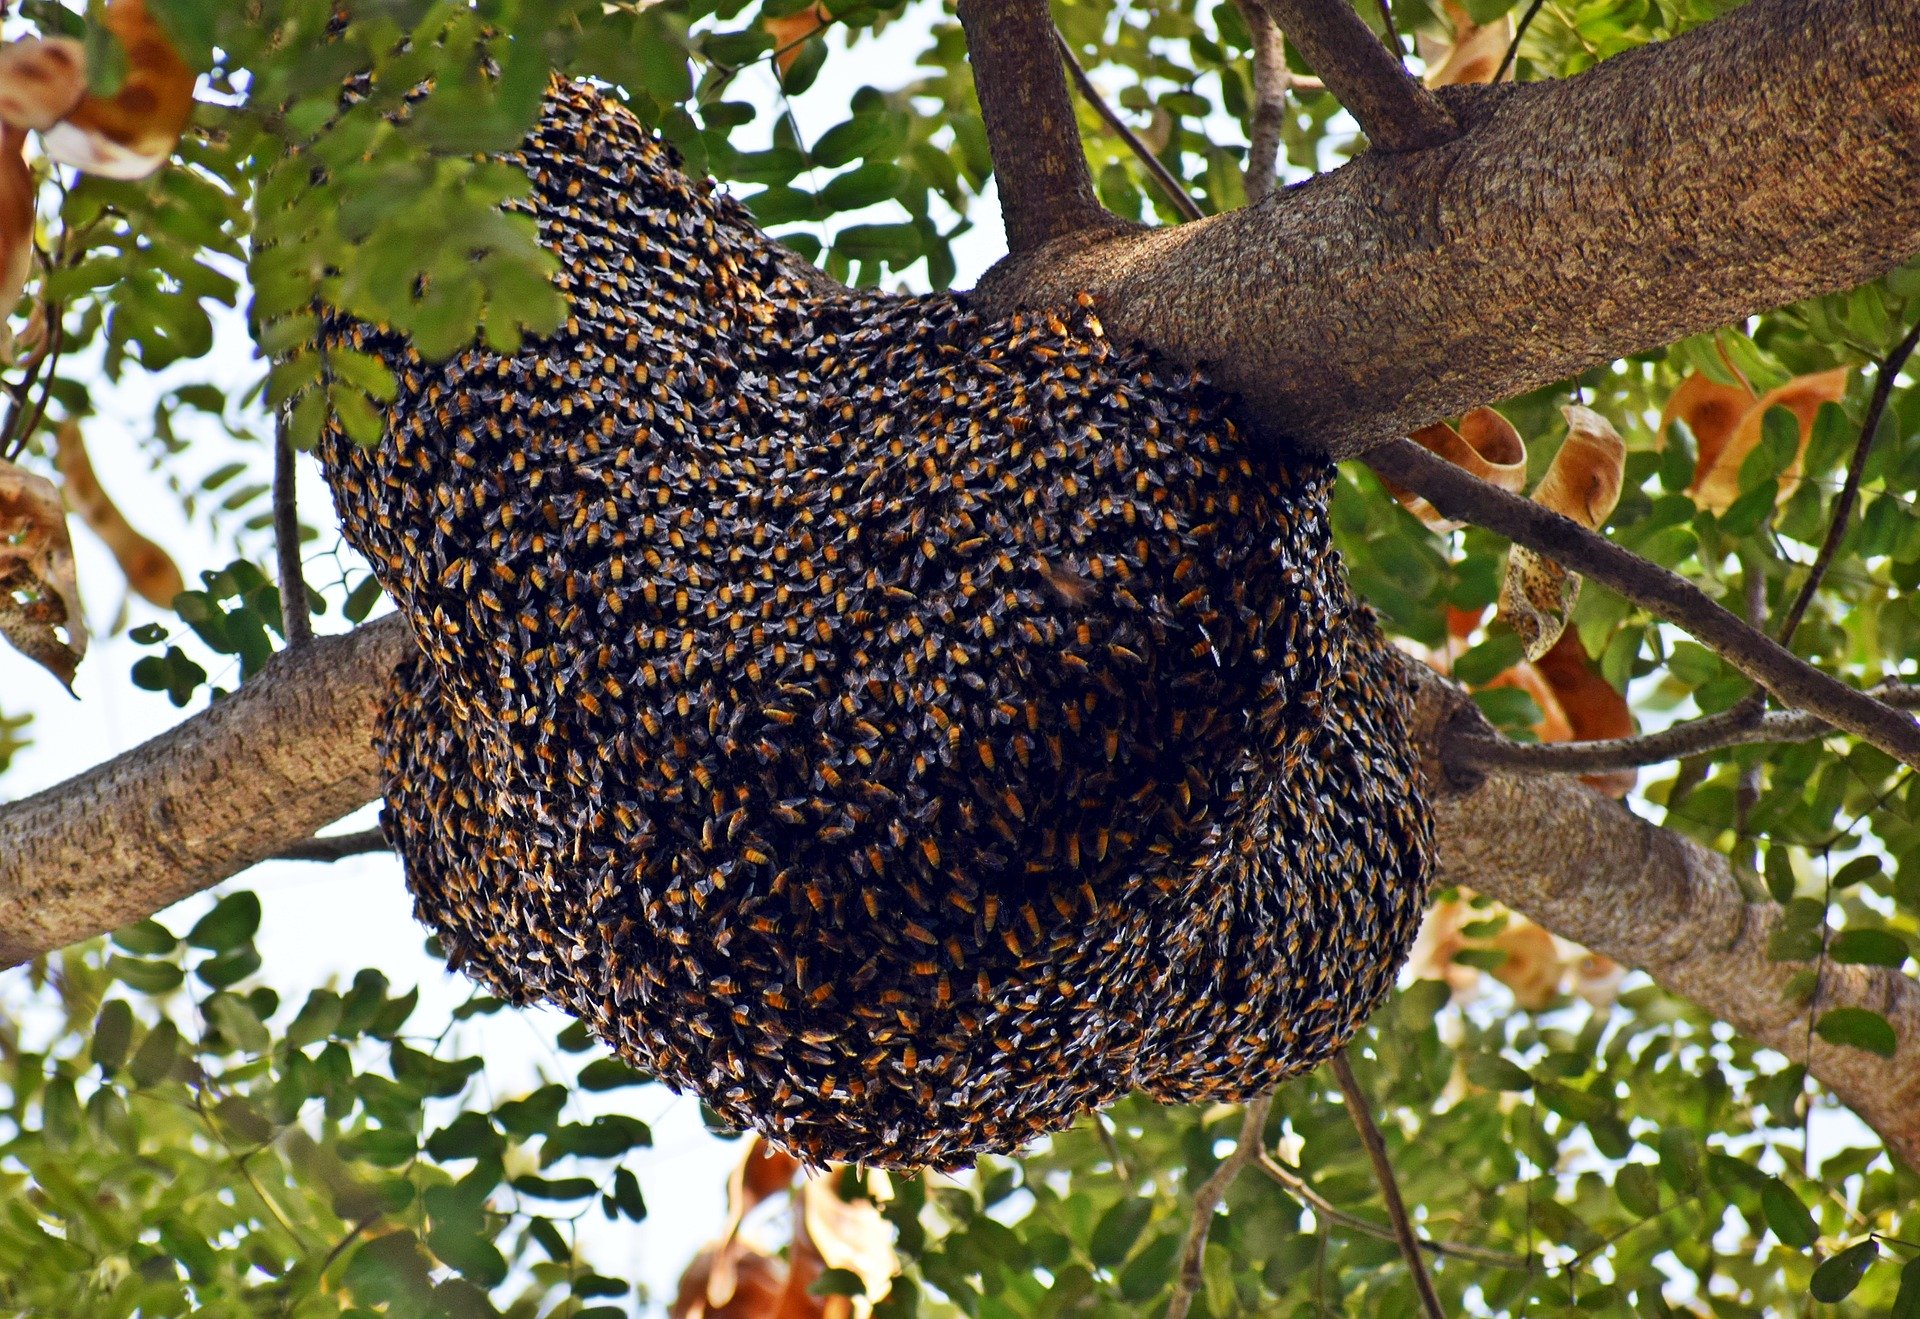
<point>905,731</point>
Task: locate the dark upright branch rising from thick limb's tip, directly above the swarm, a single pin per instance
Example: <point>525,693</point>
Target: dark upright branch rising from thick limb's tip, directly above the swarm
<point>1038,160</point>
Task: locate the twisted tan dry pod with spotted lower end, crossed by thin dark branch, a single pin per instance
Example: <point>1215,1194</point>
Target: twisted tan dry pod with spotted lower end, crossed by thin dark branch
<point>1583,485</point>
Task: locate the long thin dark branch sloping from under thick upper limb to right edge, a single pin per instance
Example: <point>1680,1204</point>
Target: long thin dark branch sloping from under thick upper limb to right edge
<point>1668,596</point>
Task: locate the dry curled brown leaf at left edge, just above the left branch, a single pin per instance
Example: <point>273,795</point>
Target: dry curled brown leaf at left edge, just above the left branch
<point>39,596</point>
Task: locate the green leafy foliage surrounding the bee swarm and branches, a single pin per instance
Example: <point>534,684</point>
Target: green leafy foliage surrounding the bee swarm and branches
<point>189,1139</point>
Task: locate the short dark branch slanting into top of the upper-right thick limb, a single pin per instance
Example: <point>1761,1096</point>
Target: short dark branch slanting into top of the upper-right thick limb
<point>1391,105</point>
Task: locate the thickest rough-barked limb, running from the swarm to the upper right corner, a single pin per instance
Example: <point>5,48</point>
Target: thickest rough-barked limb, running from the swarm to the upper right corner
<point>1762,158</point>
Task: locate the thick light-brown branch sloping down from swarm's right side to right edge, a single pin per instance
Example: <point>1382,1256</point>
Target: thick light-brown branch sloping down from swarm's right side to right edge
<point>1598,875</point>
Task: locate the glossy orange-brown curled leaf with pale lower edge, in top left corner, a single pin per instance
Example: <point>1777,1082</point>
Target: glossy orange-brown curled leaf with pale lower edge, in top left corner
<point>132,133</point>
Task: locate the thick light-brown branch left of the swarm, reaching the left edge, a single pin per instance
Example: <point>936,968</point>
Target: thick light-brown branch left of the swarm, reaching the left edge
<point>270,765</point>
